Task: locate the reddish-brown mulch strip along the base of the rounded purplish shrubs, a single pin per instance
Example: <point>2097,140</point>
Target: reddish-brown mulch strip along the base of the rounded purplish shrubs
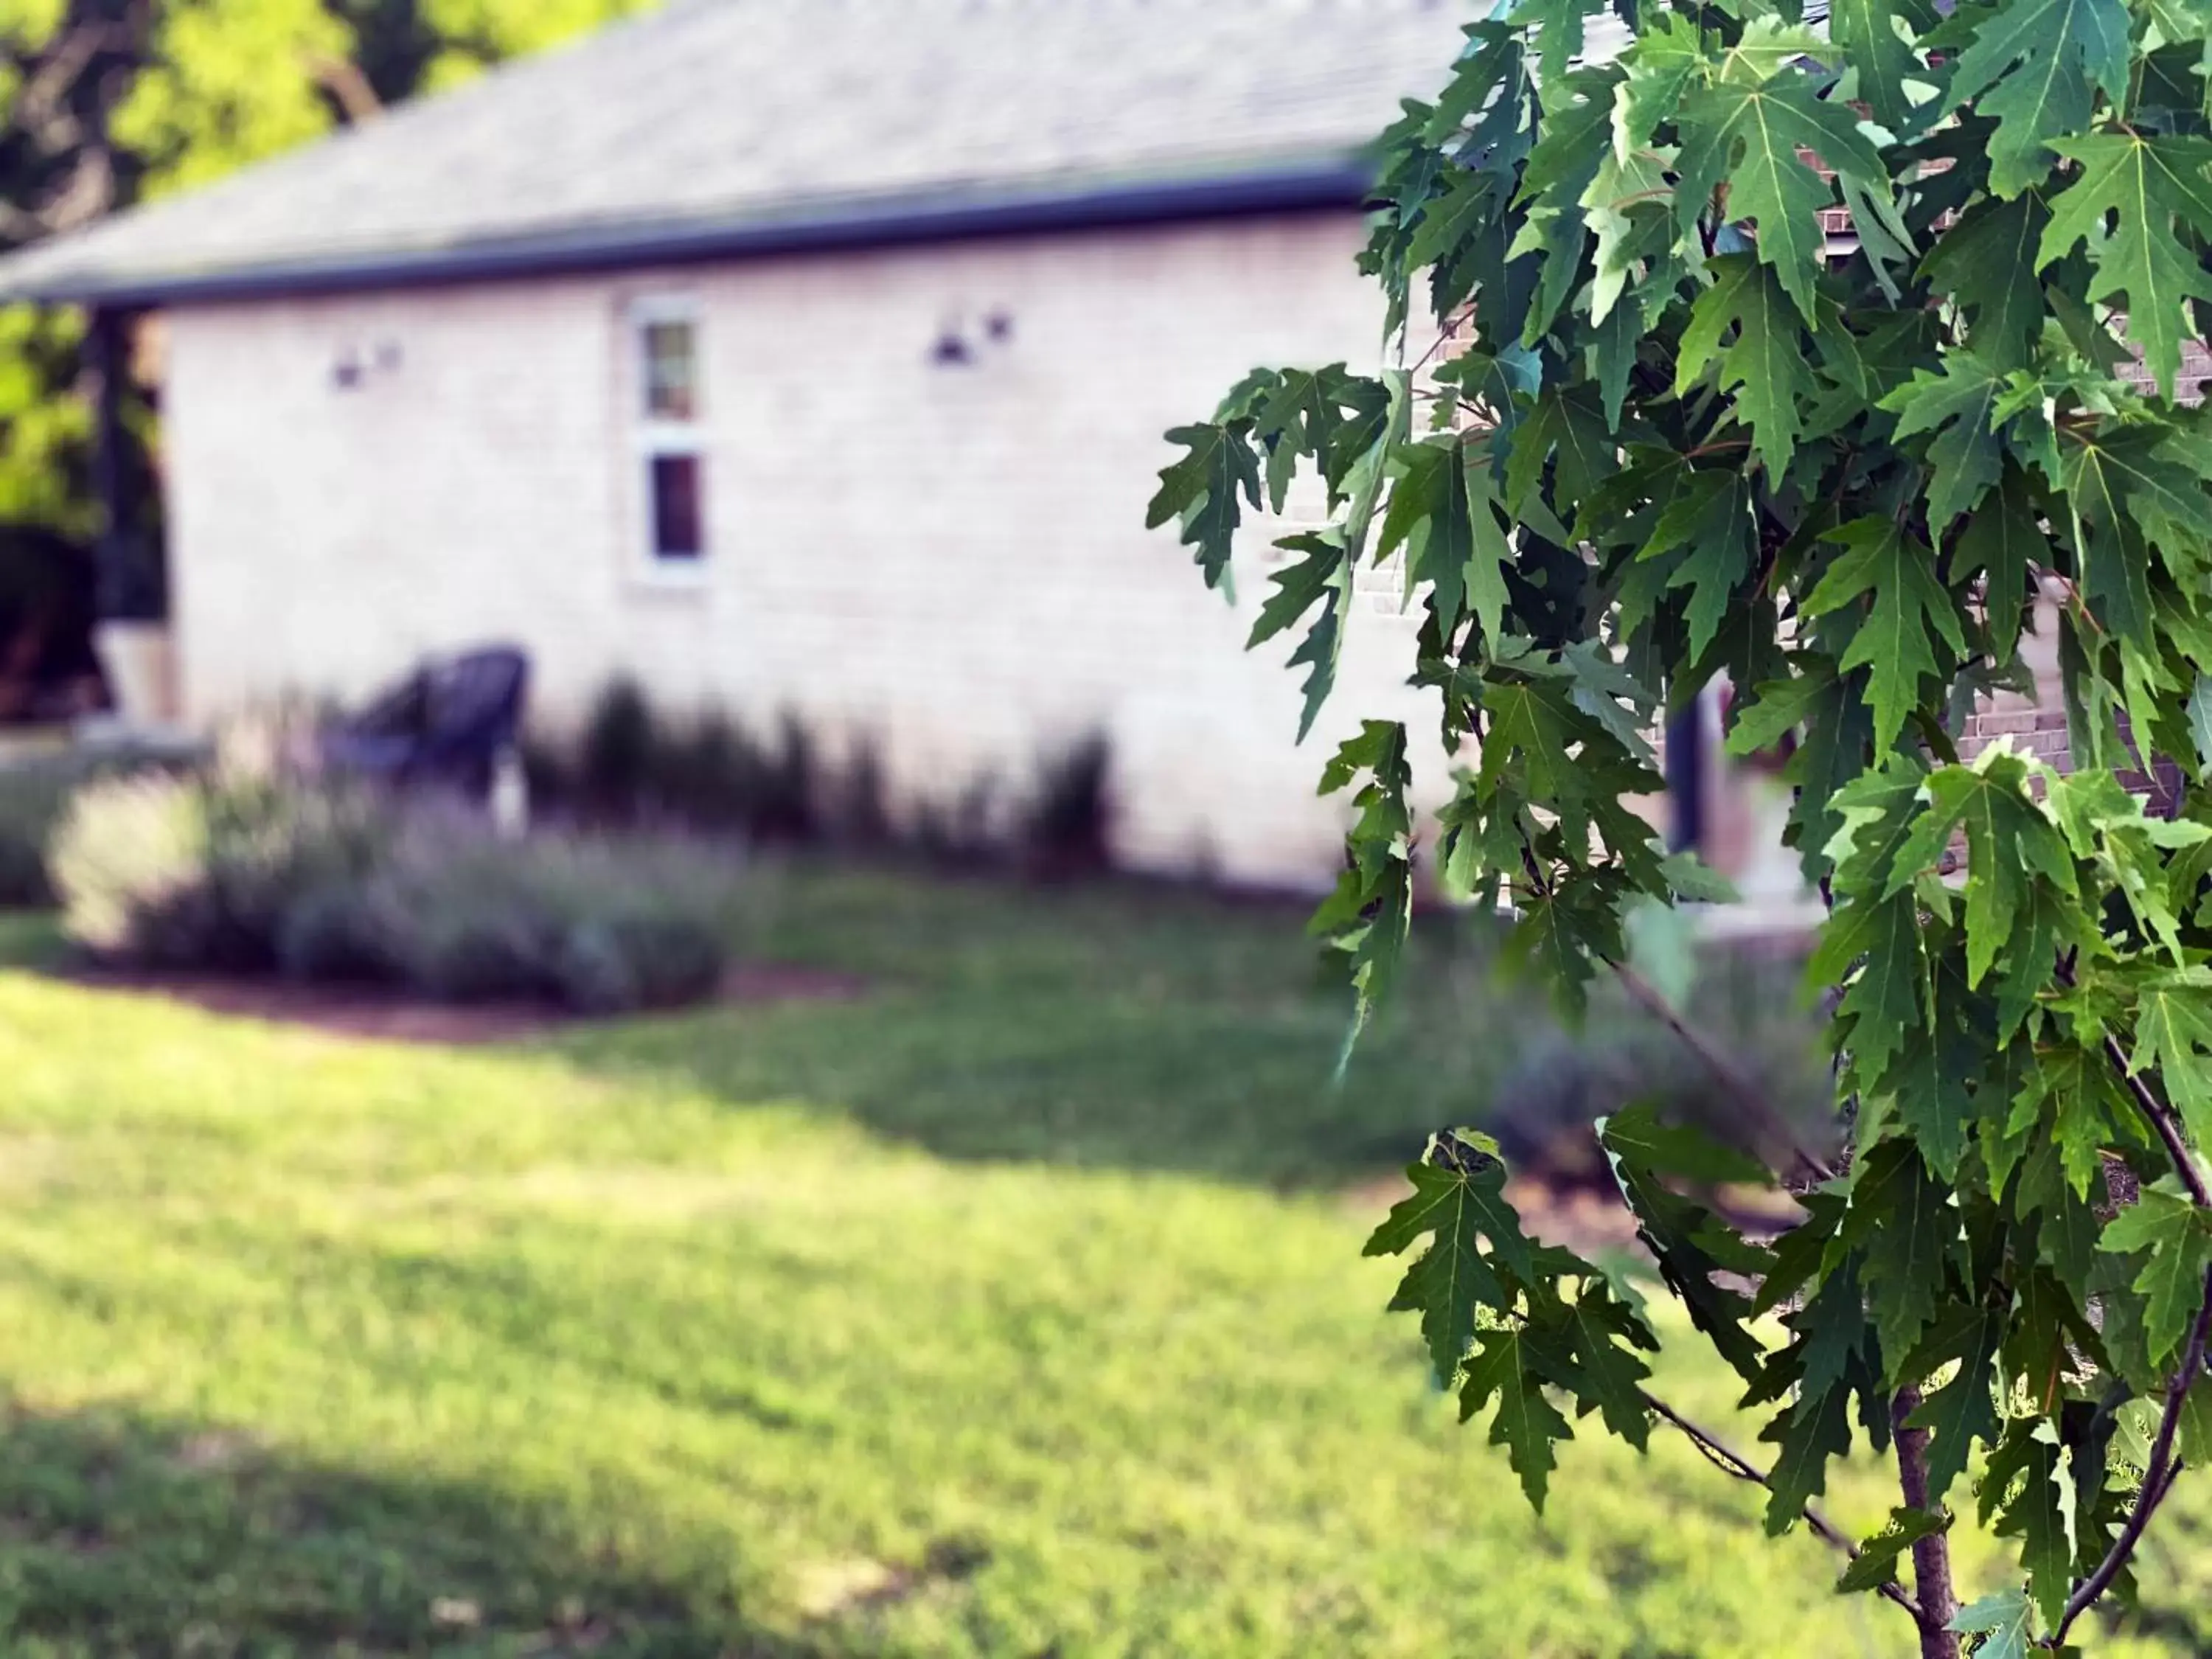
<point>397,1016</point>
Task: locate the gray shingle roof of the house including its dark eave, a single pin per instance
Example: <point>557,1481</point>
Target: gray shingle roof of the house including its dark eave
<point>747,125</point>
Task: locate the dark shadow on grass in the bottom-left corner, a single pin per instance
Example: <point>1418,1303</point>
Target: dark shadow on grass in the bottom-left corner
<point>125,1536</point>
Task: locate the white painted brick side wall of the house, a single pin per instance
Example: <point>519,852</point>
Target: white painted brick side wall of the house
<point>948,556</point>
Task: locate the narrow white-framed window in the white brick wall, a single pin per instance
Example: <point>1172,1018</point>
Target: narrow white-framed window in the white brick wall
<point>669,435</point>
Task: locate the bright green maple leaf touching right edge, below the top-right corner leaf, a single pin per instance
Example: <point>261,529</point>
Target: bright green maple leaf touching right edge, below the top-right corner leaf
<point>2145,187</point>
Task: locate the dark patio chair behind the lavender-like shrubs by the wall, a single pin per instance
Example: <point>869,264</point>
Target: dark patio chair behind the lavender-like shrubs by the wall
<point>446,724</point>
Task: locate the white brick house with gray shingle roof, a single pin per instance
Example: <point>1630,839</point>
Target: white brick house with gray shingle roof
<point>791,355</point>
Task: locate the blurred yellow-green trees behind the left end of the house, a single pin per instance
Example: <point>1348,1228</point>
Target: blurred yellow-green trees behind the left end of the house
<point>107,103</point>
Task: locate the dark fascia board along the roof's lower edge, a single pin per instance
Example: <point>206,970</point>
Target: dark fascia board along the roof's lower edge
<point>1344,182</point>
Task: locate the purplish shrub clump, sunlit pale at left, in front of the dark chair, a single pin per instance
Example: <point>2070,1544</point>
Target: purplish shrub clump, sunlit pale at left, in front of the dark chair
<point>258,866</point>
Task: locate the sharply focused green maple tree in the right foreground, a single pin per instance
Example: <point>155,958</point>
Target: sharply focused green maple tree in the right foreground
<point>1680,435</point>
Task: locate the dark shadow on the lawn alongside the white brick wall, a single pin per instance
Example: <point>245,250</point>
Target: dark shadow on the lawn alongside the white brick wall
<point>1116,1027</point>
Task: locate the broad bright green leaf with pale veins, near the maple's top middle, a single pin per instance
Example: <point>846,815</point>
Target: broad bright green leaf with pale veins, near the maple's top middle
<point>1751,138</point>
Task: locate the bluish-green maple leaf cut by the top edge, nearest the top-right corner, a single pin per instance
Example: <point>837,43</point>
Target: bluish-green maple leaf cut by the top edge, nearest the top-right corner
<point>2036,67</point>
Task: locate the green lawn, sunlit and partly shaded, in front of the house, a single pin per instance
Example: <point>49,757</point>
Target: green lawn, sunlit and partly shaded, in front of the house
<point>1012,1308</point>
